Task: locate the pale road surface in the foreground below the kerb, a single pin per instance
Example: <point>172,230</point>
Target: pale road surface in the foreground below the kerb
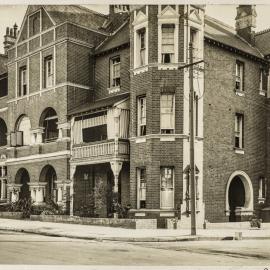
<point>20,248</point>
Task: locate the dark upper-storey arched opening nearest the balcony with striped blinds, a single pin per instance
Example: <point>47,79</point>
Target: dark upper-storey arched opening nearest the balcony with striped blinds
<point>49,121</point>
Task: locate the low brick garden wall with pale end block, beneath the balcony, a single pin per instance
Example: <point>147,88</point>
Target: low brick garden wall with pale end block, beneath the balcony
<point>110,222</point>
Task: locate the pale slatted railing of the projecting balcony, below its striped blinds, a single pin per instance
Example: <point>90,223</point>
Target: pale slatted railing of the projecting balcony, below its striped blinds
<point>101,149</point>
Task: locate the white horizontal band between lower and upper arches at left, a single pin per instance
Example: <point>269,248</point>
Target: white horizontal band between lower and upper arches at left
<point>39,157</point>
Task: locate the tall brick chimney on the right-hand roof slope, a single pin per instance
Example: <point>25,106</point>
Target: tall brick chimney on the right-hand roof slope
<point>245,22</point>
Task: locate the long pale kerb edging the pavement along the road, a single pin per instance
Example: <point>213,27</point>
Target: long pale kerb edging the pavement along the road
<point>136,239</point>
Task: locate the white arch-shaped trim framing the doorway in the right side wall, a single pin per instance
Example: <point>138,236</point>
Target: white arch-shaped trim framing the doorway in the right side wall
<point>248,191</point>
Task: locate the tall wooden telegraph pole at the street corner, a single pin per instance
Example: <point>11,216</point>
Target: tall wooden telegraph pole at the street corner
<point>191,143</point>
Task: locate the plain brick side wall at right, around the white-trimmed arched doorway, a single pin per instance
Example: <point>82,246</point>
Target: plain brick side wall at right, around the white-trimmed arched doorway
<point>220,105</point>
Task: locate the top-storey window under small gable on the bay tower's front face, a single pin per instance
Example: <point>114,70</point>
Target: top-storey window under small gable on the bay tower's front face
<point>167,43</point>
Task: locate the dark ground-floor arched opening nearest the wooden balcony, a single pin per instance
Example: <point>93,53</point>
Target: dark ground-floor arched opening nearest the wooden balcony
<point>48,175</point>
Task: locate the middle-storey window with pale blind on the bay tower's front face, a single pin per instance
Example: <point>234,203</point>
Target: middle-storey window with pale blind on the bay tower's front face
<point>167,113</point>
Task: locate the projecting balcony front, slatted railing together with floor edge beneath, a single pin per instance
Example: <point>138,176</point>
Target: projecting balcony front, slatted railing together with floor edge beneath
<point>102,151</point>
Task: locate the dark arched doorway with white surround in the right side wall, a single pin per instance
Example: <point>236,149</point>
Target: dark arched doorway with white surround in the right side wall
<point>239,195</point>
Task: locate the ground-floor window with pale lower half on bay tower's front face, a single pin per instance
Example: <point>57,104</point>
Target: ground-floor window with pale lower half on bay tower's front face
<point>167,188</point>
